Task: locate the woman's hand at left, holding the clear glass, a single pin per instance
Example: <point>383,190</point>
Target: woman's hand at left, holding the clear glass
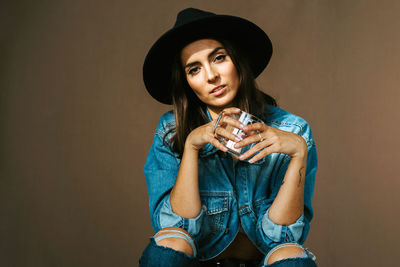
<point>204,134</point>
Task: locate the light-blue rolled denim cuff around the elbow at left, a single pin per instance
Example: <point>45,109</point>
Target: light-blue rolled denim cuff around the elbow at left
<point>168,218</point>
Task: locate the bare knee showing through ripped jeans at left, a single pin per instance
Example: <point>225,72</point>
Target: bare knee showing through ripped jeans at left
<point>176,239</point>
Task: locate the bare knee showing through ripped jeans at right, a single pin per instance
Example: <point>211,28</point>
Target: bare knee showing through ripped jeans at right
<point>286,251</point>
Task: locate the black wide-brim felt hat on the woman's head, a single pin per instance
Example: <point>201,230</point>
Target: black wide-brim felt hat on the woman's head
<point>194,24</point>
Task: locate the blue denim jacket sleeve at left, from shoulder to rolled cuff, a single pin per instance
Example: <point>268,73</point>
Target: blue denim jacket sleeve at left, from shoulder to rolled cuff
<point>161,169</point>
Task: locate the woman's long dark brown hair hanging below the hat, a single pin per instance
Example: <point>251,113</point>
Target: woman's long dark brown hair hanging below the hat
<point>190,112</point>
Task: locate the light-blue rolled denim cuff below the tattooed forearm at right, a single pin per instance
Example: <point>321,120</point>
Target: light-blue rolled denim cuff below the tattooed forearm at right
<point>283,233</point>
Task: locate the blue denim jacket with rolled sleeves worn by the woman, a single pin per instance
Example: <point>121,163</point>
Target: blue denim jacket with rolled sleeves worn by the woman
<point>231,194</point>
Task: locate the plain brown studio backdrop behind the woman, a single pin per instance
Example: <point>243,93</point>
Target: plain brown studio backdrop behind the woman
<point>76,123</point>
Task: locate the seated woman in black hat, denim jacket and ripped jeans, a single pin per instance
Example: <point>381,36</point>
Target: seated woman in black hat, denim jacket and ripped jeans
<point>209,207</point>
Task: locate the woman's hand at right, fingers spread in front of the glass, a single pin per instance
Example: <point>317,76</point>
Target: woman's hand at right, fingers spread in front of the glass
<point>271,140</point>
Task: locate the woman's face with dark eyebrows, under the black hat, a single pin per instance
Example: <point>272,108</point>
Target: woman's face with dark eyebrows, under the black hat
<point>211,73</point>
